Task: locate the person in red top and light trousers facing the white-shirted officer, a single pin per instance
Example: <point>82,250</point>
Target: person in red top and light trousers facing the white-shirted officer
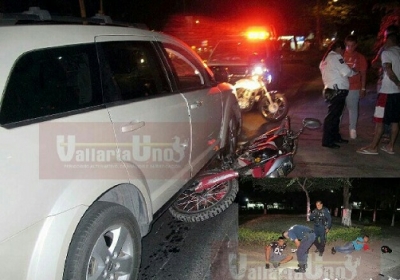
<point>357,90</point>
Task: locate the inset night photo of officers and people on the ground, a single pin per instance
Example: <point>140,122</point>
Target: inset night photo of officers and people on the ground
<point>319,228</point>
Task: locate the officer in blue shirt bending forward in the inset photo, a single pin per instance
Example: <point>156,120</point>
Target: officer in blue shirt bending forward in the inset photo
<point>303,237</point>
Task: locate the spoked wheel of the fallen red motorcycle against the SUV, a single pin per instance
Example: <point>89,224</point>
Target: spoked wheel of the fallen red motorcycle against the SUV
<point>191,206</point>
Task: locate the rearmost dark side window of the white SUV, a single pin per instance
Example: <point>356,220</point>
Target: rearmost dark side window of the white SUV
<point>51,81</point>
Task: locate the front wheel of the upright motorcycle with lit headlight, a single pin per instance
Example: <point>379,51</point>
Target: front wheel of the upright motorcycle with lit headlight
<point>275,111</point>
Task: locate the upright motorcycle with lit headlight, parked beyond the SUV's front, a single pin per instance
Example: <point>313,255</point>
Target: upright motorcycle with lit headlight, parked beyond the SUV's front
<point>252,90</point>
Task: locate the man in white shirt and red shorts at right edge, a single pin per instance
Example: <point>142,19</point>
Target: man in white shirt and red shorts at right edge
<point>387,109</point>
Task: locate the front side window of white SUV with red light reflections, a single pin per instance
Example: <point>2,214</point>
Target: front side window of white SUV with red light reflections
<point>186,69</point>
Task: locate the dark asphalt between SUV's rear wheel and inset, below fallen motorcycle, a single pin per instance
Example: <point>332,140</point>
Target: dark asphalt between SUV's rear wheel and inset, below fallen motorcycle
<point>201,251</point>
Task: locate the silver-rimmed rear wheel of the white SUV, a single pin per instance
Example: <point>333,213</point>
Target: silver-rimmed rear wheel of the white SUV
<point>105,245</point>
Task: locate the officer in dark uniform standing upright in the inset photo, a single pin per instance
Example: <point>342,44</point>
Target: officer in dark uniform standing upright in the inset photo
<point>322,224</point>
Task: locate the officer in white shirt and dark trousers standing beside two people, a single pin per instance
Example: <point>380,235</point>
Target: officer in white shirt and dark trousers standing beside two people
<point>335,76</point>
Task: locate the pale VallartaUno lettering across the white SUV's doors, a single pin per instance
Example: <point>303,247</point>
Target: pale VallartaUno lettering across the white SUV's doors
<point>141,149</point>
